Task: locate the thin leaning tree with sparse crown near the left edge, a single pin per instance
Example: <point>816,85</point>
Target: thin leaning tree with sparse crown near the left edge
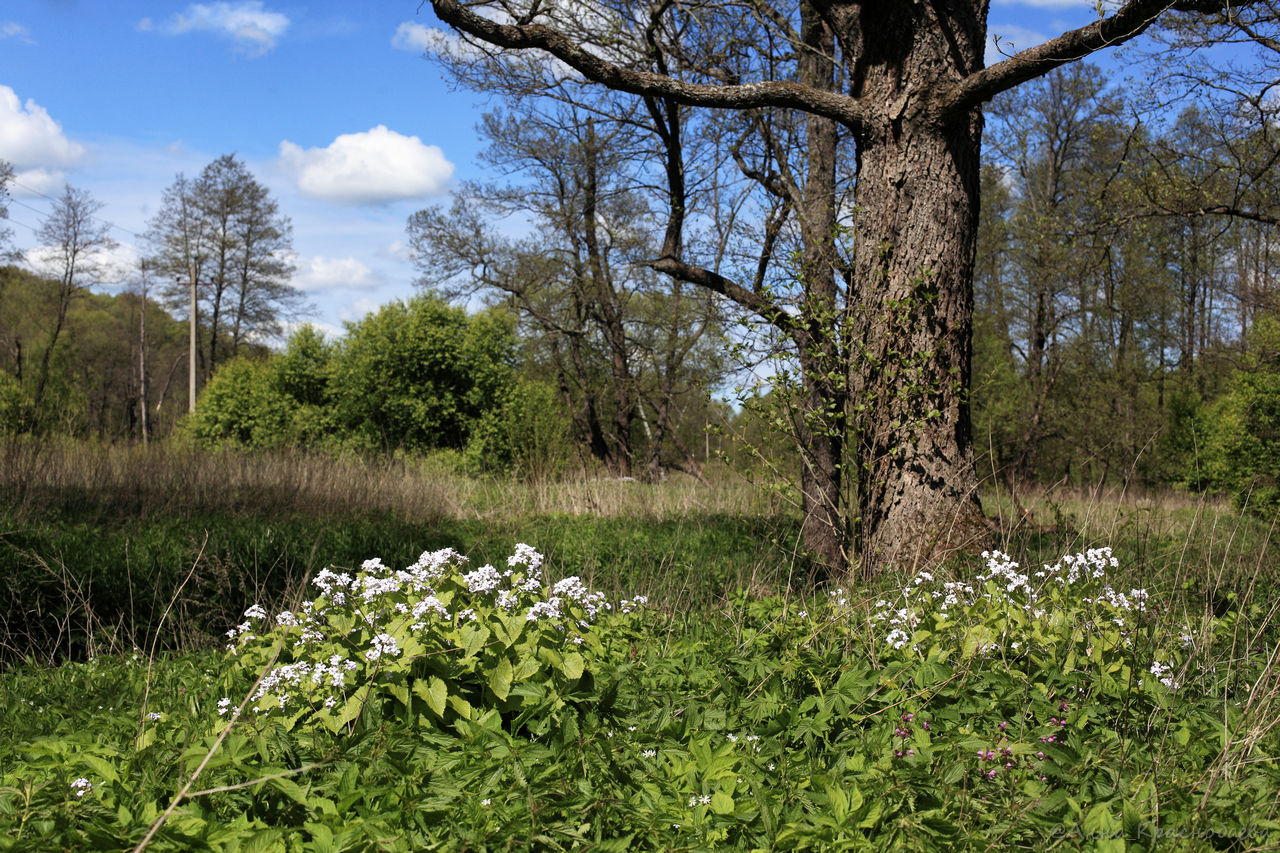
<point>72,244</point>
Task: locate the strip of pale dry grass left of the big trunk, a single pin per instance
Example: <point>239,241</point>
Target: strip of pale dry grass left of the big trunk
<point>176,481</point>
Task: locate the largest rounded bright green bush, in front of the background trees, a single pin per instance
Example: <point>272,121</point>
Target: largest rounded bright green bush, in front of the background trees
<point>419,375</point>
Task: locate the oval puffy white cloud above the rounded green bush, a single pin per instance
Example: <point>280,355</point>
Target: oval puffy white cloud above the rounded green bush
<point>374,167</point>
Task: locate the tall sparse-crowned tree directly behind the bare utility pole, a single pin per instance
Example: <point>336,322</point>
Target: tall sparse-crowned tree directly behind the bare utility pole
<point>226,230</point>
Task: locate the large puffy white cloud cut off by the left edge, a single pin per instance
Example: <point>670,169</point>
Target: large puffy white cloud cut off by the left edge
<point>35,144</point>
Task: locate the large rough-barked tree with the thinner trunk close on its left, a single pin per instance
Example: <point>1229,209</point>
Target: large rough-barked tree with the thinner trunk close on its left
<point>890,339</point>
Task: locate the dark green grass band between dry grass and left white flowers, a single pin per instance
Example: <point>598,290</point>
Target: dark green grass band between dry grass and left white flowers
<point>81,585</point>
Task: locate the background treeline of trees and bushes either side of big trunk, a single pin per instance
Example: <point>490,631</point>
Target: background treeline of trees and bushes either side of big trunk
<point>1126,316</point>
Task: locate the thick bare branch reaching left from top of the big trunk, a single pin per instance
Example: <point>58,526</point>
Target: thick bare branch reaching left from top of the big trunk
<point>527,37</point>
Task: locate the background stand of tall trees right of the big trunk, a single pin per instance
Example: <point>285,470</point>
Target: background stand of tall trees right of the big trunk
<point>1126,327</point>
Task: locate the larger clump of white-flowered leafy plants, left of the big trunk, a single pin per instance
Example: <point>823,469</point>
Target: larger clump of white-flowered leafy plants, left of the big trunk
<point>432,642</point>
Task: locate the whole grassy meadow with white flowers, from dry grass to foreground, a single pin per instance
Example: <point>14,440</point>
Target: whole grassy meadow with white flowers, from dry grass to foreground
<point>257,653</point>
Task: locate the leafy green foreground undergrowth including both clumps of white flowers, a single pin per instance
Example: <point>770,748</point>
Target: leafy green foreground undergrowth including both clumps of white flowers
<point>452,706</point>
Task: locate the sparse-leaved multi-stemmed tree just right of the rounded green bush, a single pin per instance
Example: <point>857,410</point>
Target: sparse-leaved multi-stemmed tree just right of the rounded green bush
<point>627,353</point>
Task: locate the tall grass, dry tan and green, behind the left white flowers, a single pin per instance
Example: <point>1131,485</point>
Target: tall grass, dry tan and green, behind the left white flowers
<point>95,541</point>
